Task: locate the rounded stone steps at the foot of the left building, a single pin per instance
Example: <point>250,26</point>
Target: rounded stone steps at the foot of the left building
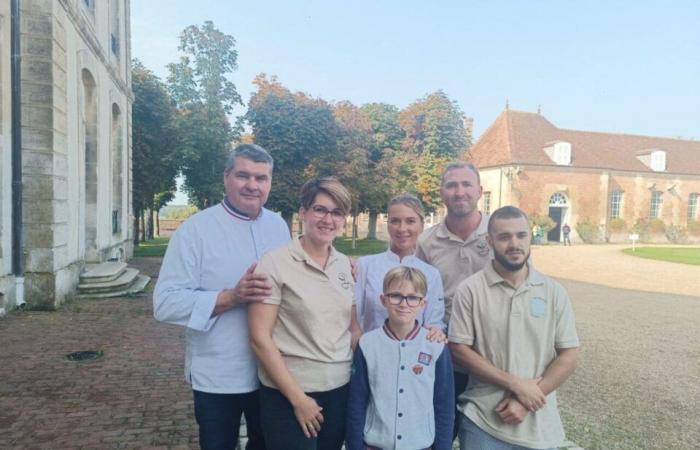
<point>111,279</point>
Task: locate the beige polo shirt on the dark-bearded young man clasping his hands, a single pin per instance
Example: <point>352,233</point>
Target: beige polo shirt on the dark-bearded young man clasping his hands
<point>518,331</point>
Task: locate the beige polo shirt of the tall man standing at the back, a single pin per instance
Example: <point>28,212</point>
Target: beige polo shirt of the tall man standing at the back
<point>456,259</point>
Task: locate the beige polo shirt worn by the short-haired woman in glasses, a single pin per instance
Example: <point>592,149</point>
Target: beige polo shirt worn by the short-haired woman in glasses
<point>312,330</point>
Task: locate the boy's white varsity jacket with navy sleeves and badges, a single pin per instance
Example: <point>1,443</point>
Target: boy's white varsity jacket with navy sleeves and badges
<point>401,393</point>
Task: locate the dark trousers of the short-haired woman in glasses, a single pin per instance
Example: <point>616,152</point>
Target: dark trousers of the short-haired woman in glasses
<point>282,431</point>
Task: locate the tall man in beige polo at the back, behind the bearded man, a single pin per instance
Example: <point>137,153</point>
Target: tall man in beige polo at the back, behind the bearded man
<point>457,246</point>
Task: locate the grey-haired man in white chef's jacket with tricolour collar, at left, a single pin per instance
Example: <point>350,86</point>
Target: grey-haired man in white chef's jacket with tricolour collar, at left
<point>206,283</point>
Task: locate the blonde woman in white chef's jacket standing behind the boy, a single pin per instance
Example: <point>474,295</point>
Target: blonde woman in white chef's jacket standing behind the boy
<point>404,224</point>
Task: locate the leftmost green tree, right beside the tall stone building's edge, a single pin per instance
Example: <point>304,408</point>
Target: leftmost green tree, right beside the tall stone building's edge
<point>155,159</point>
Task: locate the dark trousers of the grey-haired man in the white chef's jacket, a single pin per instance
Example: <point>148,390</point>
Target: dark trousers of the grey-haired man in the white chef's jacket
<point>219,419</point>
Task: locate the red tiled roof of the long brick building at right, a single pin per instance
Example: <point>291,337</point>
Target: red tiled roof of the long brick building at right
<point>518,137</point>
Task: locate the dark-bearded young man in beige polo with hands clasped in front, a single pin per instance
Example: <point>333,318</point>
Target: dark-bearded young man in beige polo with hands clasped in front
<point>513,329</point>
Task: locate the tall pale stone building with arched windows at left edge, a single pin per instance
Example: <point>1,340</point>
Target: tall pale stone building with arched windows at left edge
<point>75,144</point>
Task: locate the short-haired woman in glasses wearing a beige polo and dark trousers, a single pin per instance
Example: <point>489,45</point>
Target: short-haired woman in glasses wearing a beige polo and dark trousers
<point>301,334</point>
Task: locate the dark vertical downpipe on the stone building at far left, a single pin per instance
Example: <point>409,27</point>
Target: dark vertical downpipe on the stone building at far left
<point>17,238</point>
